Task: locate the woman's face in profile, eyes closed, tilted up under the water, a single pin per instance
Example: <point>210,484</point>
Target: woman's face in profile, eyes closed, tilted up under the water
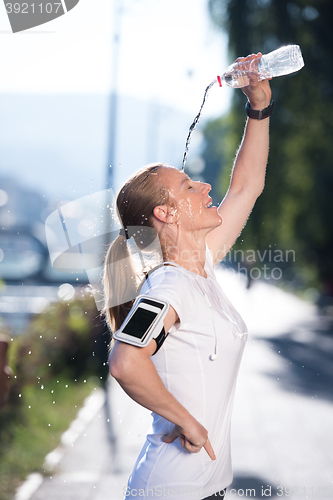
<point>194,210</point>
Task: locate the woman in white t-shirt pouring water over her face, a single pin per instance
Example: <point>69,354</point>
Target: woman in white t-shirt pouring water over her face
<point>189,383</point>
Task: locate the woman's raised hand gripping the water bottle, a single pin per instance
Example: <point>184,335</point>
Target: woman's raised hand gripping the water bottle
<point>258,92</point>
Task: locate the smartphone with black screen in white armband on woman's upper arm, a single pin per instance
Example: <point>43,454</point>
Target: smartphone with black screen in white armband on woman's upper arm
<point>144,322</point>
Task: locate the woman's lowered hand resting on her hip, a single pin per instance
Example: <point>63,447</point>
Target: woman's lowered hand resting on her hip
<point>192,438</point>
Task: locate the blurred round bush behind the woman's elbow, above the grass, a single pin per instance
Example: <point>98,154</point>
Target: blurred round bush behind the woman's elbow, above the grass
<point>67,338</point>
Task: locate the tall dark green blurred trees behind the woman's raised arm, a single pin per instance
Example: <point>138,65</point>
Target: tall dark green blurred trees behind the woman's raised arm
<point>295,209</point>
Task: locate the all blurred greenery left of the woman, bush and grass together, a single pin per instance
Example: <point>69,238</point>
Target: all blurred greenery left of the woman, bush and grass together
<point>55,362</point>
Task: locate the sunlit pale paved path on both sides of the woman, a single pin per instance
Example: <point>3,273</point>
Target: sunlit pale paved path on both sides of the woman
<point>282,438</point>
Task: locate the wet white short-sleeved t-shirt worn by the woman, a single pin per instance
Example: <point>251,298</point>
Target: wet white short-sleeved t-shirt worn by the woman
<point>204,387</point>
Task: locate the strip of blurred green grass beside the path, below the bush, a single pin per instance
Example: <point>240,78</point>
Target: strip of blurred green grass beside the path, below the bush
<point>34,429</point>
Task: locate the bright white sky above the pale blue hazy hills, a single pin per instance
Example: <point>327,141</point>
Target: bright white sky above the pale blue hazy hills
<point>168,51</point>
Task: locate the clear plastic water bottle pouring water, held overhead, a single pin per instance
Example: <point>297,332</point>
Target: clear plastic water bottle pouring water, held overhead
<point>280,62</point>
